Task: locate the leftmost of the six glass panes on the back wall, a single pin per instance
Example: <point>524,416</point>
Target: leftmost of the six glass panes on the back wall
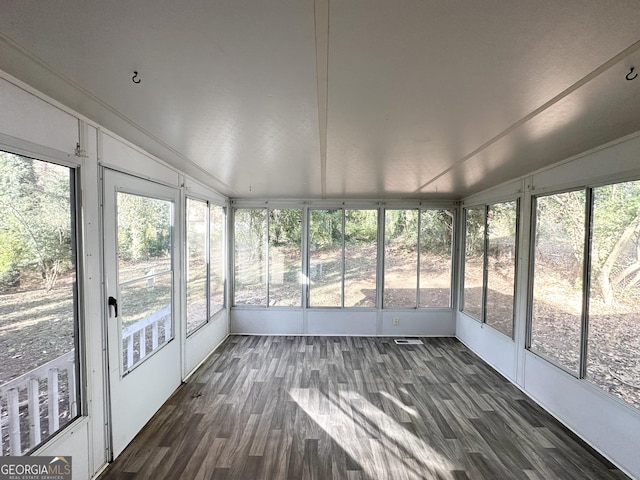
<point>250,257</point>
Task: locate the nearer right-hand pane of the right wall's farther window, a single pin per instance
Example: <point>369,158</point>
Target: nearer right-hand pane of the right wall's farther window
<point>501,266</point>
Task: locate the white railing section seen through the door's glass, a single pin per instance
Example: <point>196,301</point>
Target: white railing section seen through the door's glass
<point>153,322</point>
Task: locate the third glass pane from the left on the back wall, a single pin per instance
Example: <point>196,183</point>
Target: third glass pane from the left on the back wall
<point>325,258</point>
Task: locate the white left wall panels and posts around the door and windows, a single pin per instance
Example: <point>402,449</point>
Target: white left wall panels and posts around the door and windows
<point>36,126</point>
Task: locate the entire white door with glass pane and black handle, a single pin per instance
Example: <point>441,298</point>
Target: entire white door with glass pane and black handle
<point>141,253</point>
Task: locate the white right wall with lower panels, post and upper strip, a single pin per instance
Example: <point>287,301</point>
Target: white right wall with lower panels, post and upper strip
<point>606,423</point>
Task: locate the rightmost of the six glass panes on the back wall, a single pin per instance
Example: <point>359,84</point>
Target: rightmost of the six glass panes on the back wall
<point>436,243</point>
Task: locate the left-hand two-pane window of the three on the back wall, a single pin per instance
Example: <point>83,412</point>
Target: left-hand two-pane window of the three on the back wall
<point>268,257</point>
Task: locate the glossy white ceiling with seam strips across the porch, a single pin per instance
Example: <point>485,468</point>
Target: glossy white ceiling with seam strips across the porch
<point>339,98</point>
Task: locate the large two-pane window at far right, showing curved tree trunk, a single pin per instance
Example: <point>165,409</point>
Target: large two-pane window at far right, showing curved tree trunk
<point>607,351</point>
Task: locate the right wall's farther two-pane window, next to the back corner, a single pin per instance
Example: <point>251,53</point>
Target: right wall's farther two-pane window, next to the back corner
<point>490,264</point>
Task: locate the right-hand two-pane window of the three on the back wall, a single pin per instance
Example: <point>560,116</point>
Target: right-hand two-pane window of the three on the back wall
<point>418,258</point>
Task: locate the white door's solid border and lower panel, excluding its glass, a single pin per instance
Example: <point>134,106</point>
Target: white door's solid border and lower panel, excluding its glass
<point>168,359</point>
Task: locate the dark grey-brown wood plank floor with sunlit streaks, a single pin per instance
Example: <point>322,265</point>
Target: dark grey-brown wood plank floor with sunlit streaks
<point>352,408</point>
